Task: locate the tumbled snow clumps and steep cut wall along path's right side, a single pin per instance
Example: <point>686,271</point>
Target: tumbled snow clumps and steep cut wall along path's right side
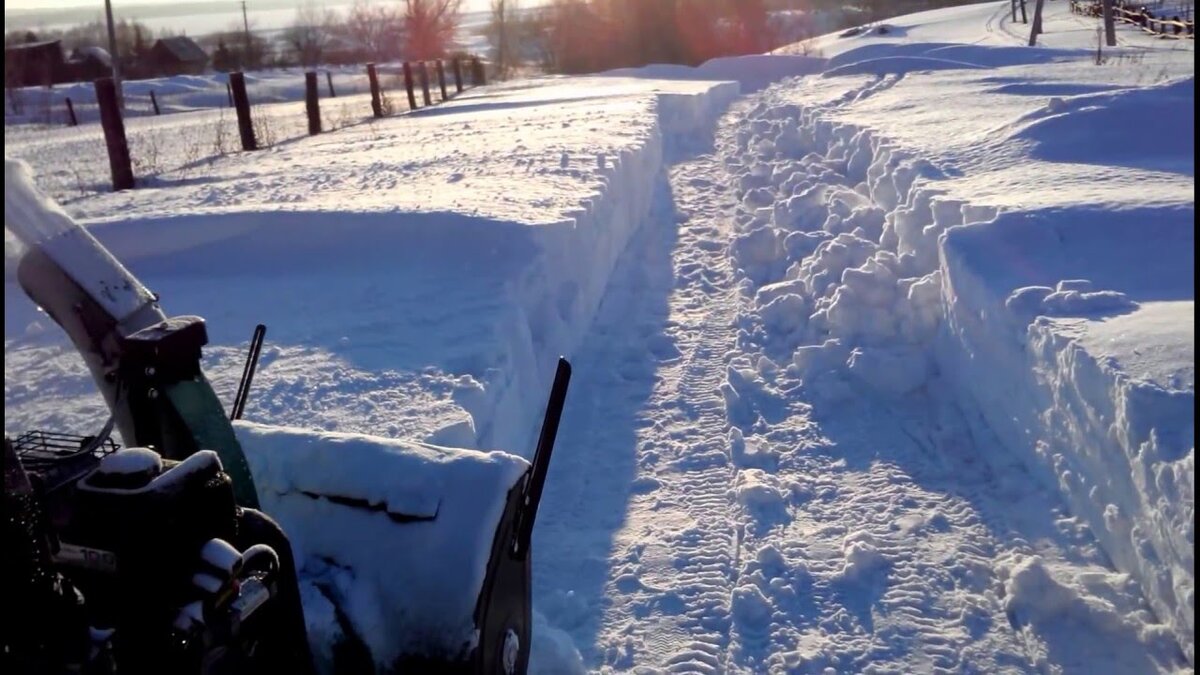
<point>867,274</point>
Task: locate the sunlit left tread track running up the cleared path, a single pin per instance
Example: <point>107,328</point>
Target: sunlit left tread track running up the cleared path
<point>699,565</point>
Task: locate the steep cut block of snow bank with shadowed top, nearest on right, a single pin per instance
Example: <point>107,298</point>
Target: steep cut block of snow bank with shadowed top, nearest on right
<point>1113,433</point>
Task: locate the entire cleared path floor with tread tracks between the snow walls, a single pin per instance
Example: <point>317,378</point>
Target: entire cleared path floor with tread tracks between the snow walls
<point>757,519</point>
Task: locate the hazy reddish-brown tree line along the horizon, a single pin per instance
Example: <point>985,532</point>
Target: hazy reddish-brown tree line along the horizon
<point>563,37</point>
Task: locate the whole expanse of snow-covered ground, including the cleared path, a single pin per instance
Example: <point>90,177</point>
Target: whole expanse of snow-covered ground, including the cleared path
<point>884,356</point>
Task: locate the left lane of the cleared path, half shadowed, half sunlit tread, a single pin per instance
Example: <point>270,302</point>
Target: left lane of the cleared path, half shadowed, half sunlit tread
<point>649,435</point>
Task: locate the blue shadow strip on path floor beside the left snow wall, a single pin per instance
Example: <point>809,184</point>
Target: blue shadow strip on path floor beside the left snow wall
<point>591,477</point>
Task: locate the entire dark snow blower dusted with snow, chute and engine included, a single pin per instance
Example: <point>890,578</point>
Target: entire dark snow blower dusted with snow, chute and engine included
<point>178,554</point>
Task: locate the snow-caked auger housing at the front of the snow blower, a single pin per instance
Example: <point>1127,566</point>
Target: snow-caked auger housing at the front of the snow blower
<point>407,560</point>
